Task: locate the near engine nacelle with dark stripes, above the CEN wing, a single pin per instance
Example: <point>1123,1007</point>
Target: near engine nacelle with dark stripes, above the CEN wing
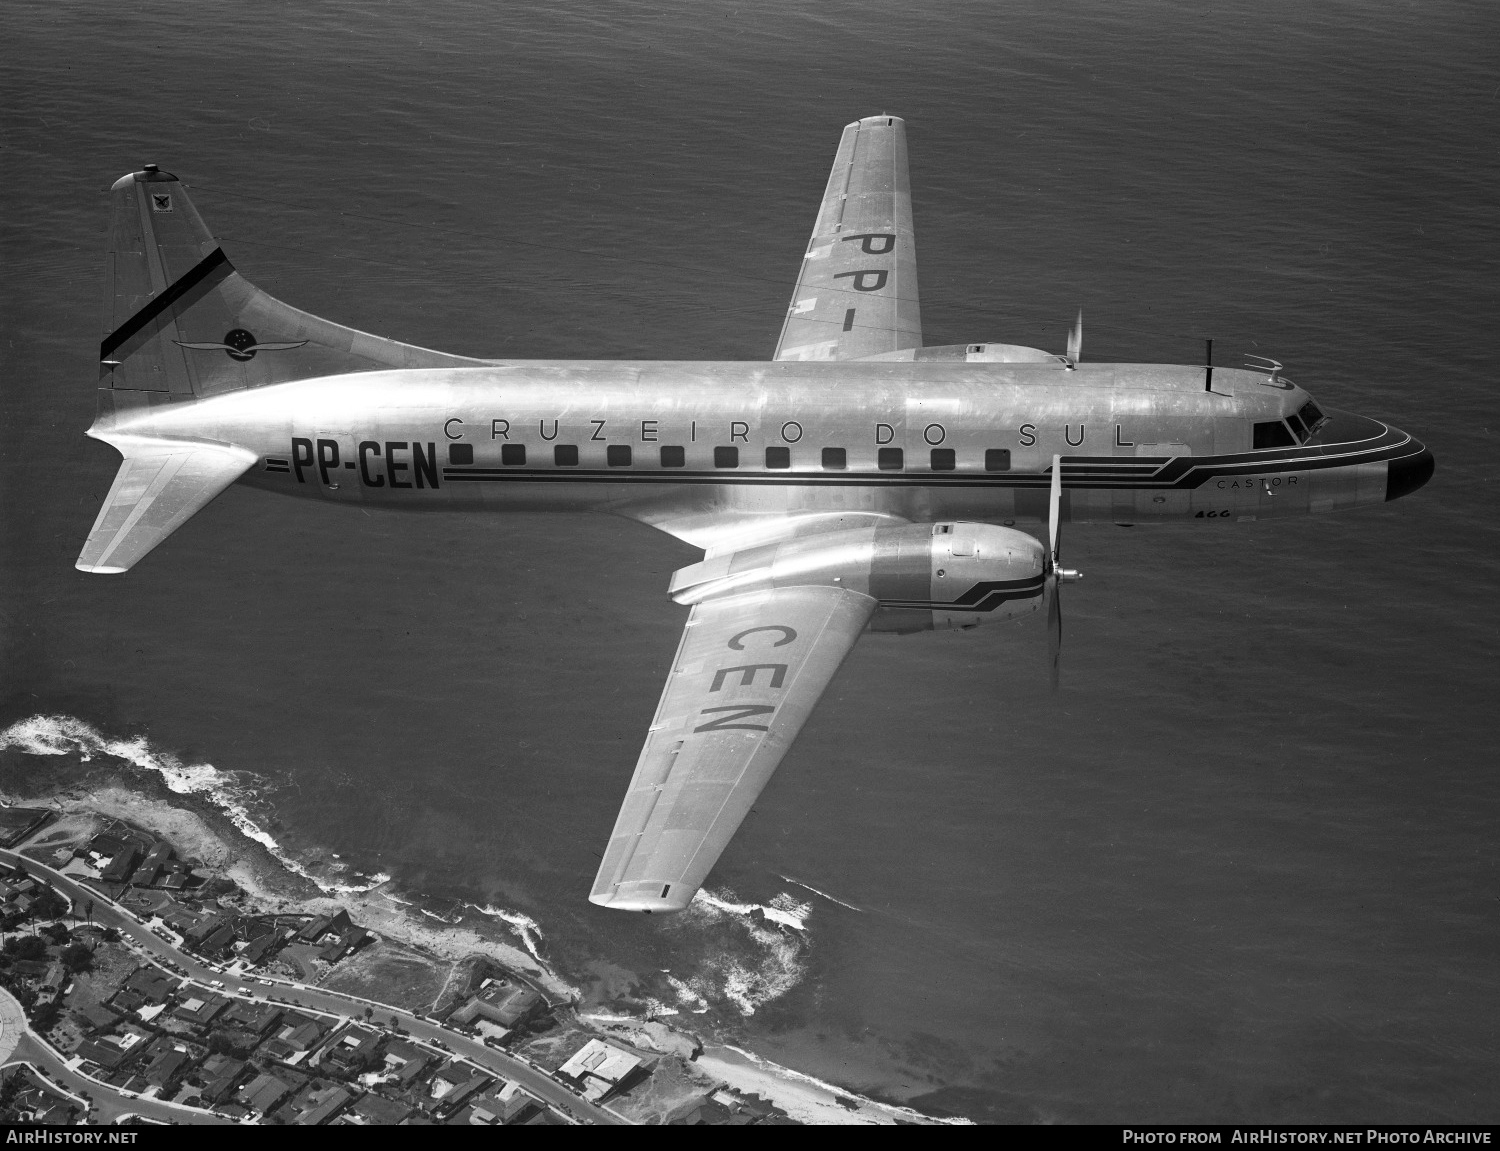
<point>923,577</point>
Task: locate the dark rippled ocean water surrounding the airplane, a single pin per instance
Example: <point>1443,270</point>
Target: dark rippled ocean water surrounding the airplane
<point>1241,868</point>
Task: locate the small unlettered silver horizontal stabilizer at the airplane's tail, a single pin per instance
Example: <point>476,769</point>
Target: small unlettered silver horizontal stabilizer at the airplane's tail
<point>161,485</point>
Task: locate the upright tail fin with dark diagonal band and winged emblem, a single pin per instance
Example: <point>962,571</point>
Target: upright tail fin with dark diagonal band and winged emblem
<point>182,323</point>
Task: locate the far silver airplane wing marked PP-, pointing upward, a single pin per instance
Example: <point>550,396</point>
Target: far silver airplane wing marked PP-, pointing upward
<point>857,290</point>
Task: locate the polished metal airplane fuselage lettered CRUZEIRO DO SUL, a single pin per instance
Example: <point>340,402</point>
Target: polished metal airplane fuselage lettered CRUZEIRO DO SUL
<point>976,442</point>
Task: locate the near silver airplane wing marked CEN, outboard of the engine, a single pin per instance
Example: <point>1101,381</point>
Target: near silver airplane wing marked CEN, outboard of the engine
<point>745,679</point>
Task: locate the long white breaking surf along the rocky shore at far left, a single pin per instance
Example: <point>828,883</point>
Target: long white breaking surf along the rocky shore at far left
<point>64,735</point>
